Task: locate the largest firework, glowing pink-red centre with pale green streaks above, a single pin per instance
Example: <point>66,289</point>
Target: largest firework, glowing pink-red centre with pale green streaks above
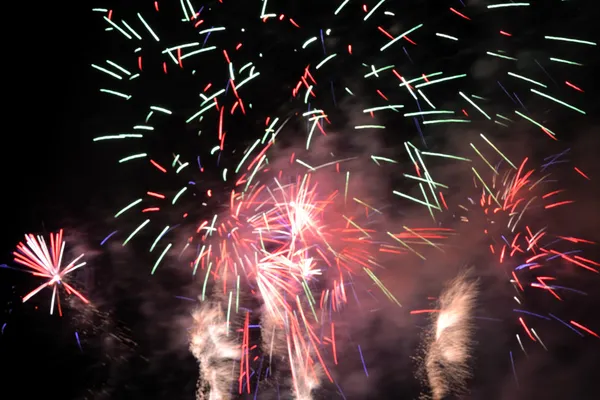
<point>247,222</point>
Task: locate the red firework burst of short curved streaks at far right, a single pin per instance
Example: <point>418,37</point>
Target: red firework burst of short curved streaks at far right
<point>515,205</point>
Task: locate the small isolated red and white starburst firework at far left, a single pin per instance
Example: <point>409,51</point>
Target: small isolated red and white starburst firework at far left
<point>46,261</point>
